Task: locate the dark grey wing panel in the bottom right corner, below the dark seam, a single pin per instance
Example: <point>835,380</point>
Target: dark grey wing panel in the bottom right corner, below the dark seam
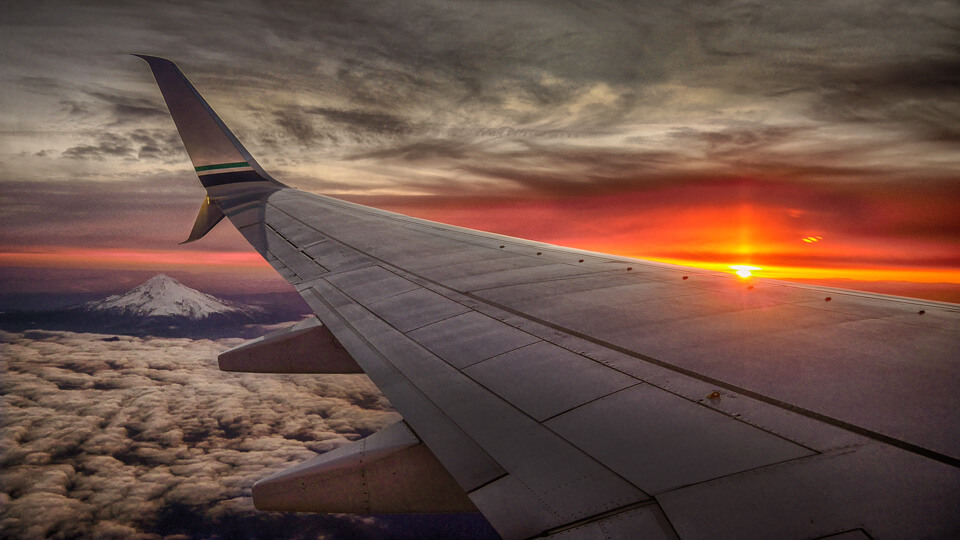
<point>886,491</point>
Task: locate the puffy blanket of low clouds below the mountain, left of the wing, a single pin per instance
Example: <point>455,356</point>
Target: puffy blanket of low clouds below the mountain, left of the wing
<point>124,437</point>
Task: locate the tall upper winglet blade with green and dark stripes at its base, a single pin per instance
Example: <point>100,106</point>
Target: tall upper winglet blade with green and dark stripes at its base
<point>217,155</point>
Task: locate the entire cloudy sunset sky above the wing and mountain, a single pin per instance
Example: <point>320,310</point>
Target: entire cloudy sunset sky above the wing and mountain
<point>811,140</point>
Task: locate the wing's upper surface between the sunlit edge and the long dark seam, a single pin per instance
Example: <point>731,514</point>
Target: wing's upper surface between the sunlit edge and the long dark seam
<point>860,359</point>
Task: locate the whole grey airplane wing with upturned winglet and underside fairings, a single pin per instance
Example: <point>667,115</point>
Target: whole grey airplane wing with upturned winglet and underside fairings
<point>572,394</point>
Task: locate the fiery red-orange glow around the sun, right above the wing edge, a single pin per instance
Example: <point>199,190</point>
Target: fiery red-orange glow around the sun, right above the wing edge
<point>787,230</point>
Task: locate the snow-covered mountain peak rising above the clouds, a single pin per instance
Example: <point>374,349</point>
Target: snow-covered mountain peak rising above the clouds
<point>163,296</point>
